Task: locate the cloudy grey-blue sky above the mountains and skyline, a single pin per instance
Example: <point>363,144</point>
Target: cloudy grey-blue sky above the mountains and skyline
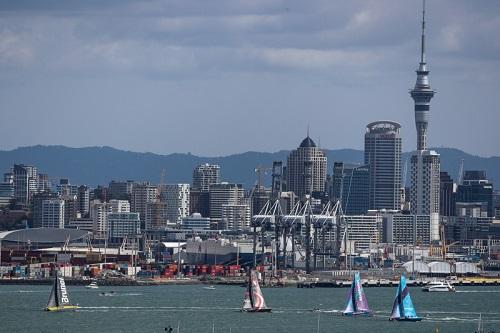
<point>228,76</point>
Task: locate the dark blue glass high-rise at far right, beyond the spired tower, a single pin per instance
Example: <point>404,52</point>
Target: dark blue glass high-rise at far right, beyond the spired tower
<point>478,190</point>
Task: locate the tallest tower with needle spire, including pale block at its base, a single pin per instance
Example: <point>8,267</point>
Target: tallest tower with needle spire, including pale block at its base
<point>425,164</point>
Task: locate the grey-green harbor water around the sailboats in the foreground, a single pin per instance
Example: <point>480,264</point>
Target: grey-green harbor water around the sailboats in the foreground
<point>195,309</point>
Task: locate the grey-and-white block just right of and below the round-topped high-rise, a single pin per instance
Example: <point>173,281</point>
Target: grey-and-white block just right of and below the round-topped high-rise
<point>224,194</point>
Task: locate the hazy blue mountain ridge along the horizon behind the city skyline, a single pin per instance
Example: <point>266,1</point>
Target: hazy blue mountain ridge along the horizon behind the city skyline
<point>98,165</point>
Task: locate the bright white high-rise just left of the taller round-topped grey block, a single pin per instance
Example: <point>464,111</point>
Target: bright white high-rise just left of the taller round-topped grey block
<point>177,200</point>
